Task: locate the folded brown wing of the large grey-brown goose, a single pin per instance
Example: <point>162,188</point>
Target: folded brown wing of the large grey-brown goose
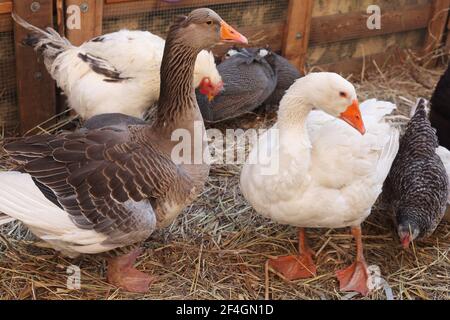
<point>102,177</point>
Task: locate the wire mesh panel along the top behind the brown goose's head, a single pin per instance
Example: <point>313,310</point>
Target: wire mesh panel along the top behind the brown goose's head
<point>240,14</point>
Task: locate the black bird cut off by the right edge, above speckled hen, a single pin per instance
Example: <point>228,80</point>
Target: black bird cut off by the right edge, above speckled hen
<point>440,109</point>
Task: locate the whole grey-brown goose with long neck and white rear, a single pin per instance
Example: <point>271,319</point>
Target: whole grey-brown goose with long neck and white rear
<point>112,187</point>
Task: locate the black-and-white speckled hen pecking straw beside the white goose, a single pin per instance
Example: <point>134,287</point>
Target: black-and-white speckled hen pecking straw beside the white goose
<point>417,185</point>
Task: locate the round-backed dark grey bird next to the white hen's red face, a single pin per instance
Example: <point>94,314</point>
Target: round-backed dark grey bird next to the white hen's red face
<point>248,80</point>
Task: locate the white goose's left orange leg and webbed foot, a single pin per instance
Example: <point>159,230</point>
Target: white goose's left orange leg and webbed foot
<point>300,266</point>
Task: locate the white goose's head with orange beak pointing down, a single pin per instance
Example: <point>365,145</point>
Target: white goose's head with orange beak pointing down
<point>328,92</point>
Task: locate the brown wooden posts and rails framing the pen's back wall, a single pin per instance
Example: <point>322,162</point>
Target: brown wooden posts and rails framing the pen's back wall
<point>36,94</point>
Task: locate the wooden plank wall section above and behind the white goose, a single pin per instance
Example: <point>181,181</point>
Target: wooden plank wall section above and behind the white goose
<point>342,42</point>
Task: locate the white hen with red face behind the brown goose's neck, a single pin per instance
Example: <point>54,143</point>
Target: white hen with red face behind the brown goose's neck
<point>114,73</point>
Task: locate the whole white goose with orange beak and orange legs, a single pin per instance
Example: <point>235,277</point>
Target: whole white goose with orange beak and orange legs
<point>327,174</point>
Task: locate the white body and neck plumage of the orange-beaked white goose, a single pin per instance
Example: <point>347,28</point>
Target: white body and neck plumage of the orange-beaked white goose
<point>329,174</point>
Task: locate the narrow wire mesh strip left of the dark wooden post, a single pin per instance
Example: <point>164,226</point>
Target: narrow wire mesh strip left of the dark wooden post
<point>8,98</point>
